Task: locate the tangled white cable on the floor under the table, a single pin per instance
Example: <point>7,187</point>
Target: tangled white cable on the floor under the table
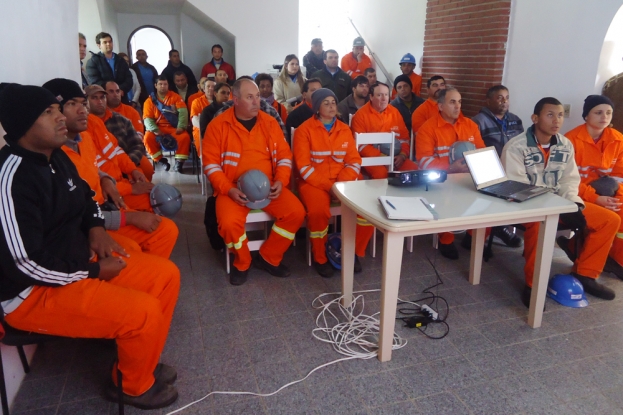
<point>356,337</point>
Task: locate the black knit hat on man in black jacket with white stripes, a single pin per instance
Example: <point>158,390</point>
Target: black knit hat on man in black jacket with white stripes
<point>20,106</point>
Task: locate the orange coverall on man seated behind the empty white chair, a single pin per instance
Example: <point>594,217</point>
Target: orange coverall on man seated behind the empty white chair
<point>369,120</point>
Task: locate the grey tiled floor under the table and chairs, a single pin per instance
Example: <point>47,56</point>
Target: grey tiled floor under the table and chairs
<point>257,337</point>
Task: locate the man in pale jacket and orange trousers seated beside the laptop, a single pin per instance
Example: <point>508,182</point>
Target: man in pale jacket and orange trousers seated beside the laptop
<point>543,157</point>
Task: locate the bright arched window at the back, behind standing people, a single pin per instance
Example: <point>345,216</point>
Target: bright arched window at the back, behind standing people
<point>155,41</point>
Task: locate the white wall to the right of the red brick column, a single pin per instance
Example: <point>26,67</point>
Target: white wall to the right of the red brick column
<point>554,49</point>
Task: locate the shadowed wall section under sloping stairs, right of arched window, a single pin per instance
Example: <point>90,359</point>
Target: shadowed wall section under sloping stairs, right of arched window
<point>197,43</point>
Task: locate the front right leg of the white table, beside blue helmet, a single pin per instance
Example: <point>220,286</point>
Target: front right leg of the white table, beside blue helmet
<point>542,265</point>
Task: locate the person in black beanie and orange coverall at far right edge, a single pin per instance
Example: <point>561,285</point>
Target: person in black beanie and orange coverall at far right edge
<point>599,153</point>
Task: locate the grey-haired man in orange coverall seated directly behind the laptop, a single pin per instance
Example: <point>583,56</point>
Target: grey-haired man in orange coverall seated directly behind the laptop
<point>433,146</point>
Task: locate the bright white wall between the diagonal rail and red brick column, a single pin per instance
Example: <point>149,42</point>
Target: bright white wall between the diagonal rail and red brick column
<point>391,28</point>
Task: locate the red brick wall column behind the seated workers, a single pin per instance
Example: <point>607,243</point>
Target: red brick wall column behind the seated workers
<point>464,41</point>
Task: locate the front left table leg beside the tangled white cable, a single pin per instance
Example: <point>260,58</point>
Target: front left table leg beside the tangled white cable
<point>392,261</point>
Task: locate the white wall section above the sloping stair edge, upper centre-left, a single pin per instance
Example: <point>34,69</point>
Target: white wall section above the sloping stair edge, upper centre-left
<point>265,31</point>
